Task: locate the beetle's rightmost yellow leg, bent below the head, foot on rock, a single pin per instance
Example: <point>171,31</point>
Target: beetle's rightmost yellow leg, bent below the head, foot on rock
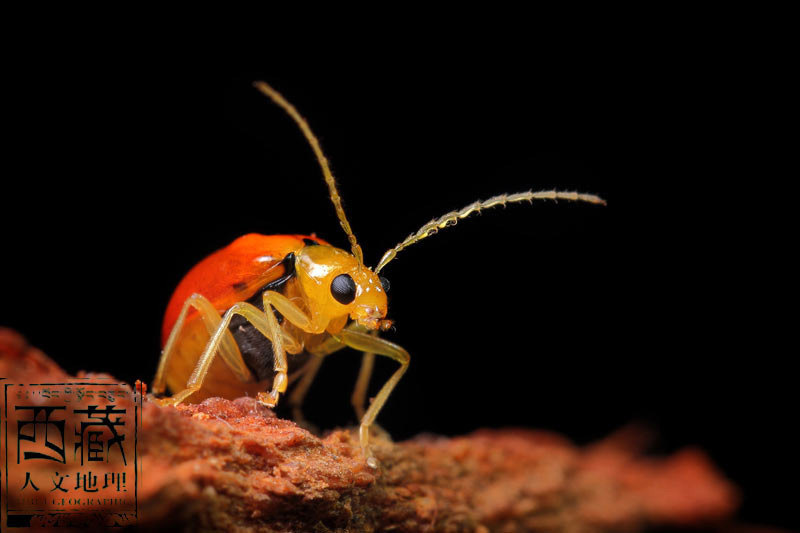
<point>370,344</point>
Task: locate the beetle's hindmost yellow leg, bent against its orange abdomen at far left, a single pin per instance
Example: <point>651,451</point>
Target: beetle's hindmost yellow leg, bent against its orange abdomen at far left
<point>211,319</point>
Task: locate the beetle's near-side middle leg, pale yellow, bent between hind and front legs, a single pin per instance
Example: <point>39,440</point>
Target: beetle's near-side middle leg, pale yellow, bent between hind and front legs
<point>252,314</point>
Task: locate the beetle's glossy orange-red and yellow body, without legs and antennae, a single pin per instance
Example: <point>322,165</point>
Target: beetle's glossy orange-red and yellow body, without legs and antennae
<point>237,273</point>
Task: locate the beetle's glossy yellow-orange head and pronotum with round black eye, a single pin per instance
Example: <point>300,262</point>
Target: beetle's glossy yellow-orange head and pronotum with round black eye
<point>336,285</point>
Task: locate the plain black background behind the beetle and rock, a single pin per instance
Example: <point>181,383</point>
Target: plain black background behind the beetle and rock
<point>128,163</point>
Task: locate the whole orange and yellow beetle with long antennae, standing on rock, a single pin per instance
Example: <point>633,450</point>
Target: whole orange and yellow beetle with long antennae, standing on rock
<point>265,296</point>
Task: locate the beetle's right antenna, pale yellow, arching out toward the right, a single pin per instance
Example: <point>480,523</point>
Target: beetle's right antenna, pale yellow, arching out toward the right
<point>451,218</point>
